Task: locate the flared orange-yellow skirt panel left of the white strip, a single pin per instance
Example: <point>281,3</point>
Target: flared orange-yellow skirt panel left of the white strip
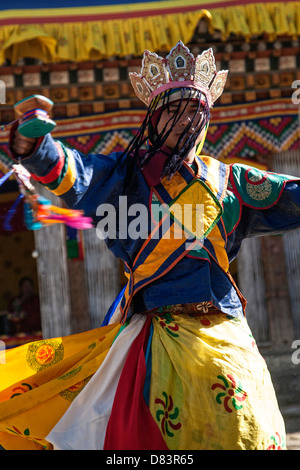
<point>39,381</point>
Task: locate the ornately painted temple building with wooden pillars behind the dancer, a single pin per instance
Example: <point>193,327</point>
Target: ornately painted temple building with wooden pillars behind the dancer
<point>80,56</point>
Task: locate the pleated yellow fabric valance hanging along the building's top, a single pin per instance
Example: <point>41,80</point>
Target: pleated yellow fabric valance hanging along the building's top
<point>93,33</point>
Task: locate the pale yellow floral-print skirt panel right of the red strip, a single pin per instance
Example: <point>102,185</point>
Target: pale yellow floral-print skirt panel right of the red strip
<point>210,387</point>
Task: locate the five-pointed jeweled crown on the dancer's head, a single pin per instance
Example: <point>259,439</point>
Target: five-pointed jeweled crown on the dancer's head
<point>179,69</point>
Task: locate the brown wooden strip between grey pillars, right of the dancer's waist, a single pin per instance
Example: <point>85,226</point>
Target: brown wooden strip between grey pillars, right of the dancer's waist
<point>277,292</point>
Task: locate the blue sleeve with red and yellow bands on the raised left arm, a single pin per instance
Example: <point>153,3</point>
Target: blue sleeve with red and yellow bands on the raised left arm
<point>83,182</point>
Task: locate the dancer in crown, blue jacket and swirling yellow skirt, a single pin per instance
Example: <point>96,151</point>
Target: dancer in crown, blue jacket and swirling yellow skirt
<point>174,365</point>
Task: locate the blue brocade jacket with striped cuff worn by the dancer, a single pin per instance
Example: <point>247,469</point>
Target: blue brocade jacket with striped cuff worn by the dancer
<point>252,203</point>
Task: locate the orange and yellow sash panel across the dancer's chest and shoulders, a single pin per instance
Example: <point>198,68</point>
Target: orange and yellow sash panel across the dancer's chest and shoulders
<point>172,238</point>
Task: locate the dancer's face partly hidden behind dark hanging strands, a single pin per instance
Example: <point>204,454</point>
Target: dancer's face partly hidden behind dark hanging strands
<point>187,119</point>
